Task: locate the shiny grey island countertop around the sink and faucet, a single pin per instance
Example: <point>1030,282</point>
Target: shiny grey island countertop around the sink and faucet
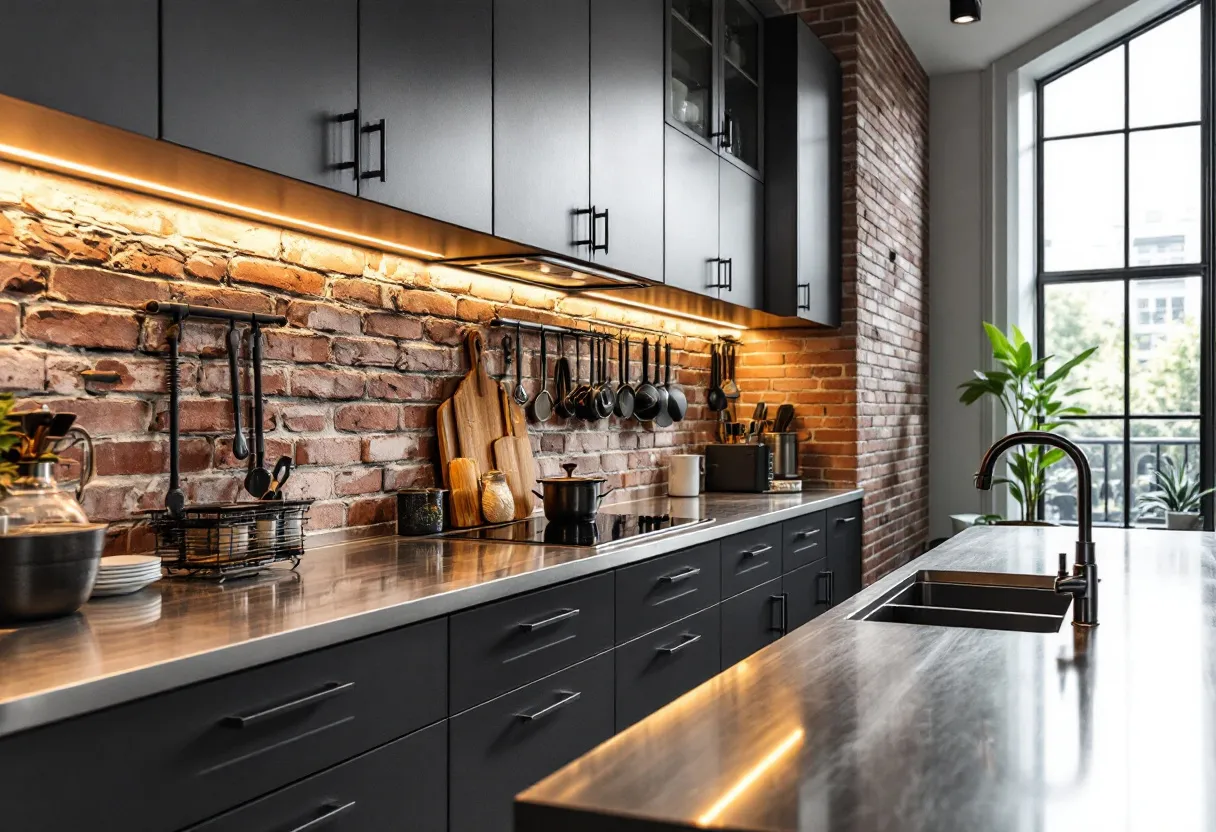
<point>866,726</point>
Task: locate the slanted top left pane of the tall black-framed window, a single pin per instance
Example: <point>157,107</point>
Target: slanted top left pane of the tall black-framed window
<point>1088,100</point>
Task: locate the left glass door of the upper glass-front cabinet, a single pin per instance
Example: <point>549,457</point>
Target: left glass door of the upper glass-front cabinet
<point>691,99</point>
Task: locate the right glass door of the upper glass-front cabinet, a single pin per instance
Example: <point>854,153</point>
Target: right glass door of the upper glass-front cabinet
<point>741,83</point>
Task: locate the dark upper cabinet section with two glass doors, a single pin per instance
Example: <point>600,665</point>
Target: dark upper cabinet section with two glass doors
<point>714,63</point>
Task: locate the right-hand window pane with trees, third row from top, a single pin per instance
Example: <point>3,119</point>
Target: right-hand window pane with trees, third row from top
<point>1166,351</point>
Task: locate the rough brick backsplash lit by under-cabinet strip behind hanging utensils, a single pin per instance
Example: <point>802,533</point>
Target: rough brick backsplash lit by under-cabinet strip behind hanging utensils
<point>373,345</point>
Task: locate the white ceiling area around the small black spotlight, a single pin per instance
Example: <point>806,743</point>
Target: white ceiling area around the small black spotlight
<point>943,47</point>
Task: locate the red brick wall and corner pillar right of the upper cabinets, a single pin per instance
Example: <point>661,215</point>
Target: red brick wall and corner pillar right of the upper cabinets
<point>863,390</point>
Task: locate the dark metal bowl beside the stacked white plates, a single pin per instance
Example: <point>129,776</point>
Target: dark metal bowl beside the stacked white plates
<point>49,571</point>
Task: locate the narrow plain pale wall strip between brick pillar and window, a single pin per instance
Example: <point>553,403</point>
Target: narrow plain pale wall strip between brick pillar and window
<point>956,277</point>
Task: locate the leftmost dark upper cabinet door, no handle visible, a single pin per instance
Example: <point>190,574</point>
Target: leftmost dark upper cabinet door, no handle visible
<point>94,59</point>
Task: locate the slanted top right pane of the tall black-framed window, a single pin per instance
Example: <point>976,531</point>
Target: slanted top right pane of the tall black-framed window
<point>1166,72</point>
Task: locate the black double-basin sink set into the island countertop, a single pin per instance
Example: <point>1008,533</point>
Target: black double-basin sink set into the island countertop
<point>981,600</point>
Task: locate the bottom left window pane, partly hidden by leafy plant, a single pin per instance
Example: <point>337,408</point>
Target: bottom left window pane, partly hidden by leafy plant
<point>1104,445</point>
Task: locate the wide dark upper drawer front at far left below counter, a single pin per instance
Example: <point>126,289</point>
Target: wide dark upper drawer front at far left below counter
<point>215,746</point>
